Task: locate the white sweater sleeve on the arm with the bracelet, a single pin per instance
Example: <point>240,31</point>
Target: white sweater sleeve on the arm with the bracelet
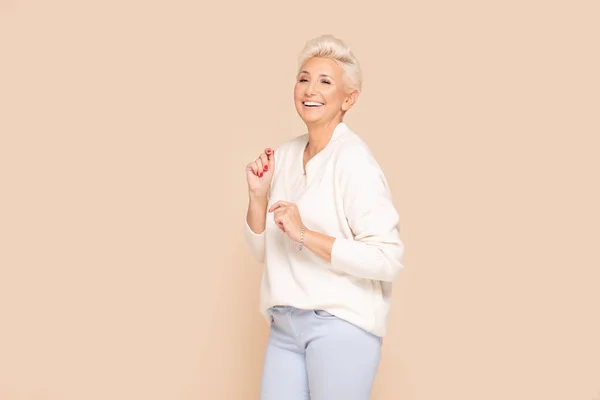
<point>376,251</point>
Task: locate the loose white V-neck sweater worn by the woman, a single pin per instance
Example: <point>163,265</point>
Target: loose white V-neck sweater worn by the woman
<point>344,194</point>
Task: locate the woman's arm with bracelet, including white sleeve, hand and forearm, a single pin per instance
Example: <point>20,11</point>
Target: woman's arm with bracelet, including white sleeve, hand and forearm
<point>375,252</point>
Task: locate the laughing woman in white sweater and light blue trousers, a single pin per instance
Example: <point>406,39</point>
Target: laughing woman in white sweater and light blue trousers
<point>320,217</point>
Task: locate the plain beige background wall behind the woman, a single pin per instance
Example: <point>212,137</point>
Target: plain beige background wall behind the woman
<point>125,127</point>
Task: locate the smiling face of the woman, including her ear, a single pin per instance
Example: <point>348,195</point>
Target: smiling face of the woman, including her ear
<point>320,93</point>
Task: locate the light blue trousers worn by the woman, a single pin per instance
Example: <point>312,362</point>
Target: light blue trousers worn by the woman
<point>314,355</point>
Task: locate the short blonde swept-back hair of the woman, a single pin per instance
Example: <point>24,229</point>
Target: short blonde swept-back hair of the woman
<point>328,46</point>
